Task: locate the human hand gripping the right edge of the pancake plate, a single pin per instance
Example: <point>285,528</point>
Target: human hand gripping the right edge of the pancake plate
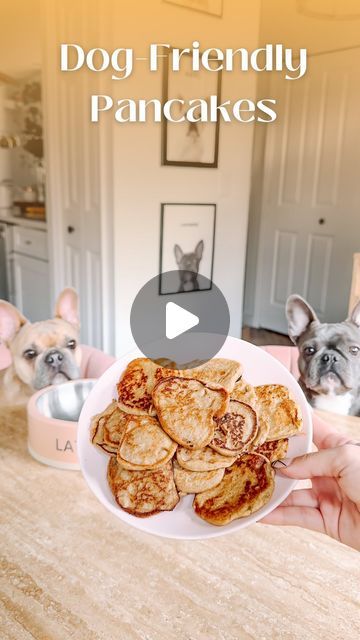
<point>332,505</point>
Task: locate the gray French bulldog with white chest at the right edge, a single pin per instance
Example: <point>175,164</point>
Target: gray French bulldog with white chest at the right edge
<point>329,357</point>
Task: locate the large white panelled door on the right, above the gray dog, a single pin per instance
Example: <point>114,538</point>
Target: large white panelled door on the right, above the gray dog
<point>310,218</point>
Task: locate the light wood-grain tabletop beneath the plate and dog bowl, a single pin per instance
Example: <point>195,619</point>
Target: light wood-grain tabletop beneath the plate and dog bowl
<point>71,570</point>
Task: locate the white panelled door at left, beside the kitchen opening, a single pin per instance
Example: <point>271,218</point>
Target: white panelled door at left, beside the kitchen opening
<point>75,190</point>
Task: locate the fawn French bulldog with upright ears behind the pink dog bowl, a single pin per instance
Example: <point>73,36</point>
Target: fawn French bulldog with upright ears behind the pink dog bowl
<point>43,353</point>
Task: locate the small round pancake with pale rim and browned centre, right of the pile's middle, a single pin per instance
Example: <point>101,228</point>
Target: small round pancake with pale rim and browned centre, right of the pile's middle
<point>235,430</point>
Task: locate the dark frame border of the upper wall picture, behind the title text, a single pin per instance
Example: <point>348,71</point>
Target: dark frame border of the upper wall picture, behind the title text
<point>164,135</point>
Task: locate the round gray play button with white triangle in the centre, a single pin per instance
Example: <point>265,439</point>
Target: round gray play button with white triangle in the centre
<point>176,327</point>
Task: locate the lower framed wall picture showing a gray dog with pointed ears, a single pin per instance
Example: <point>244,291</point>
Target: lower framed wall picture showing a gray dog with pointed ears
<point>187,247</point>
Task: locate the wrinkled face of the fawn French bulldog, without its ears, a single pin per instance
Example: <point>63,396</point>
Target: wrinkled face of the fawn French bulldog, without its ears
<point>46,353</point>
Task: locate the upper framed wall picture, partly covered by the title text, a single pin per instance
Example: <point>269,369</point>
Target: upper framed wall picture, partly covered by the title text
<point>189,144</point>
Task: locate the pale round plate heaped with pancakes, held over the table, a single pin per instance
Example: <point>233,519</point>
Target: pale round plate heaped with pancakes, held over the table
<point>259,368</point>
